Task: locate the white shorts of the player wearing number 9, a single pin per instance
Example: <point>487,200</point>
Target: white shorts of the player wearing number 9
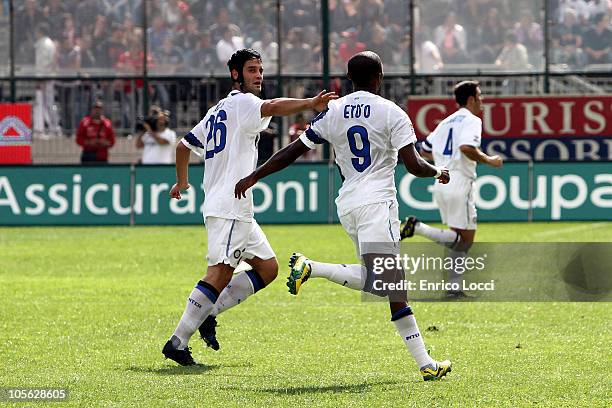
<point>374,228</point>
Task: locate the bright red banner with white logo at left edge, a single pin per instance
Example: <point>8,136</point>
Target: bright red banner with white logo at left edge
<point>15,133</point>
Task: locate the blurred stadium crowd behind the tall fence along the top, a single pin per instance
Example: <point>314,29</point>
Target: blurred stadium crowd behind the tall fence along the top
<point>197,36</point>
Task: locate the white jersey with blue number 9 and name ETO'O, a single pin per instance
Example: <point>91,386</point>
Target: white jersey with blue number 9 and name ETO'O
<point>366,131</point>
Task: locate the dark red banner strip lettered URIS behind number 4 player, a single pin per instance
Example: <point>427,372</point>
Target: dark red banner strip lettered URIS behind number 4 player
<point>524,116</point>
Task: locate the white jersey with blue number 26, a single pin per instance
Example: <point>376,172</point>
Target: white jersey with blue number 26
<point>227,138</point>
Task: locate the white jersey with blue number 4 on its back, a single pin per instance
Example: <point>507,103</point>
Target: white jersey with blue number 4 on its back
<point>460,128</point>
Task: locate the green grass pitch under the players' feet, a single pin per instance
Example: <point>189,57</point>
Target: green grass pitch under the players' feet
<point>89,309</point>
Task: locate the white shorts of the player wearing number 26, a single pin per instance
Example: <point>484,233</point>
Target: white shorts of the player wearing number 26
<point>232,241</point>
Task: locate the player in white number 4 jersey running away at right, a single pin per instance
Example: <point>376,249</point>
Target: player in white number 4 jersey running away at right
<point>455,144</point>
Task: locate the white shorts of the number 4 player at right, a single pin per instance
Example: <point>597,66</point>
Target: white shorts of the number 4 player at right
<point>455,201</point>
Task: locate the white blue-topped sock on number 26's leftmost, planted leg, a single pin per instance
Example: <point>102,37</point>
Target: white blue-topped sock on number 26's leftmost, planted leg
<point>199,305</point>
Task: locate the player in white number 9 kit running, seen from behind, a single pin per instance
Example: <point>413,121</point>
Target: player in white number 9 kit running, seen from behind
<point>366,132</point>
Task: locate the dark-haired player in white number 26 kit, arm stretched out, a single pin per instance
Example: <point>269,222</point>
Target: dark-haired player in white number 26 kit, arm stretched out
<point>227,137</point>
